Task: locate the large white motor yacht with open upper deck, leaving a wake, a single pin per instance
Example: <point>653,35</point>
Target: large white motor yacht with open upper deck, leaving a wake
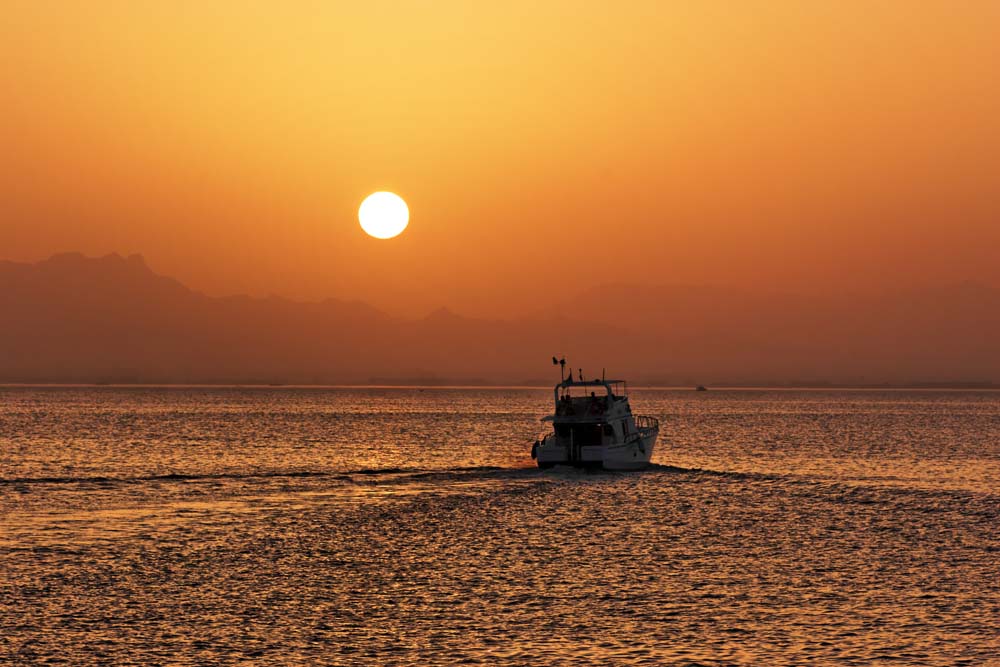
<point>593,427</point>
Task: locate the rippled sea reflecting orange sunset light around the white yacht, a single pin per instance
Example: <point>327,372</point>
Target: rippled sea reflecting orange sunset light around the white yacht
<point>408,526</point>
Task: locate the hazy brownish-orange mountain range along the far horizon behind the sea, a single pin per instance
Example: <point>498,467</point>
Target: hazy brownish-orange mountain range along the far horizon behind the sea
<point>77,319</point>
